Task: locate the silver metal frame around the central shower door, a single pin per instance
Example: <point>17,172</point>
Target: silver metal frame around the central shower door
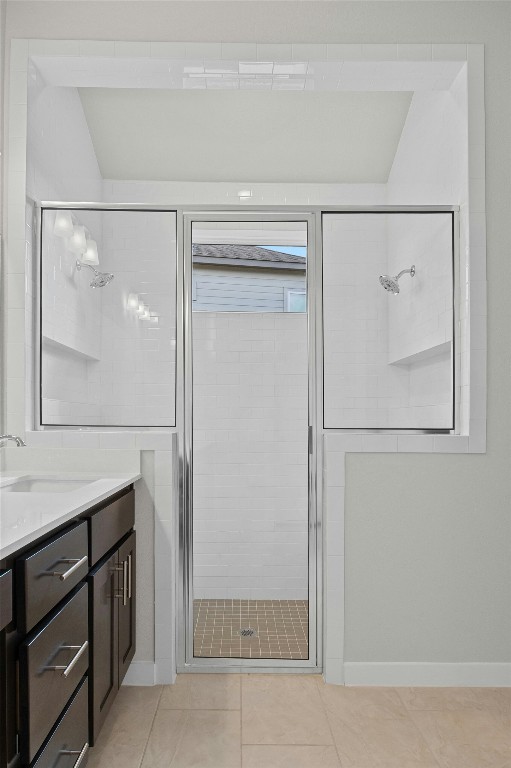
<point>186,661</point>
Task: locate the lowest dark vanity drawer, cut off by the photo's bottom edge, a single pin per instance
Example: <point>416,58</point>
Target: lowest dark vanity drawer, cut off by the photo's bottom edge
<point>68,746</point>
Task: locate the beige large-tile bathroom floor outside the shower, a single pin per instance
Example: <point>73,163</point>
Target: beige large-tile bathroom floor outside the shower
<point>296,721</point>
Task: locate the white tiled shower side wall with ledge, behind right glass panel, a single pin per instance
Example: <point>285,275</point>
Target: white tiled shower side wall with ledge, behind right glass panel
<point>420,321</point>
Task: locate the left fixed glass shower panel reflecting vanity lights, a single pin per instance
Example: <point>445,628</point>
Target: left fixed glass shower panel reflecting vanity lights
<point>108,318</point>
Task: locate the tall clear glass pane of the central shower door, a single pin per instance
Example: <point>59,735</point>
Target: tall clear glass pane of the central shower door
<point>250,449</point>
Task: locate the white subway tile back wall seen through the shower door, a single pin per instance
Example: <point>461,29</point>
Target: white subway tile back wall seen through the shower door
<point>250,455</point>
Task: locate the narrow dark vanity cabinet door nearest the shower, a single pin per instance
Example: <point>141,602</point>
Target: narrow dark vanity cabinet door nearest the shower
<point>126,603</point>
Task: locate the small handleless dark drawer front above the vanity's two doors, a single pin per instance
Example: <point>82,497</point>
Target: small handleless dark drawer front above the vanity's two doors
<point>110,524</point>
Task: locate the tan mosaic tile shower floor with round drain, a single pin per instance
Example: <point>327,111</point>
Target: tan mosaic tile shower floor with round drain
<point>272,629</point>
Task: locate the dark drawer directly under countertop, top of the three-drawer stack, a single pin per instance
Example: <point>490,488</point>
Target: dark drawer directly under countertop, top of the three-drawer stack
<point>46,574</point>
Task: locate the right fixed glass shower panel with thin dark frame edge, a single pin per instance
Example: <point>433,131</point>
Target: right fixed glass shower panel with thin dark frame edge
<point>388,320</point>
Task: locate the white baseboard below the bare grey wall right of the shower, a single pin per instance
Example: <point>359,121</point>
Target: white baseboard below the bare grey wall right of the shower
<point>427,674</point>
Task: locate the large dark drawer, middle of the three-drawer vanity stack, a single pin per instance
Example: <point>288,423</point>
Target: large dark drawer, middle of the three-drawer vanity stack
<point>52,661</point>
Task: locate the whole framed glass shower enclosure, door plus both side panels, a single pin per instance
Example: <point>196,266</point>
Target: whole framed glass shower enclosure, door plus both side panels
<point>251,335</point>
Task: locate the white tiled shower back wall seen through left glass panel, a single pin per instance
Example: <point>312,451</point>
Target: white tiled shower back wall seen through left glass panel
<point>136,371</point>
